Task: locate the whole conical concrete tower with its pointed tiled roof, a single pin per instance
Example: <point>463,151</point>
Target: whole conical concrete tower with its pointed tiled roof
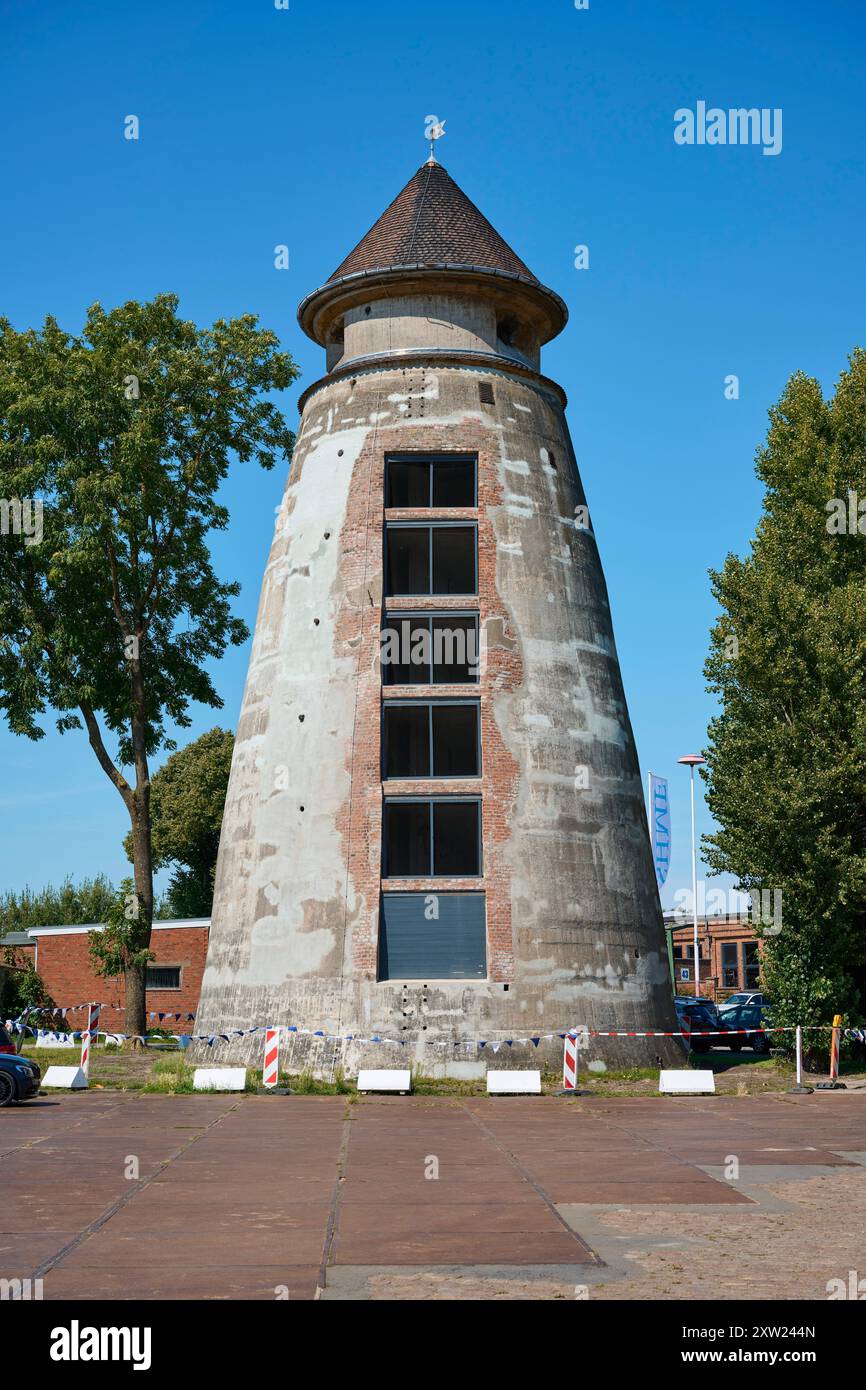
<point>436,828</point>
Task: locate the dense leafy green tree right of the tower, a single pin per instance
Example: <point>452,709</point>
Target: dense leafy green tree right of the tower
<point>787,755</point>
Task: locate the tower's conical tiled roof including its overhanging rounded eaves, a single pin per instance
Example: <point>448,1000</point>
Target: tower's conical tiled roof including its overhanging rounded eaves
<point>433,240</point>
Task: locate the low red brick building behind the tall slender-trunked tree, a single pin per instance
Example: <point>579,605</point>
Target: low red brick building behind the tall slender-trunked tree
<point>174,978</point>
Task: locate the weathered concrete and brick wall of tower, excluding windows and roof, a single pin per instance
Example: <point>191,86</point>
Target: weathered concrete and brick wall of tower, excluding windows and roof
<point>573,922</point>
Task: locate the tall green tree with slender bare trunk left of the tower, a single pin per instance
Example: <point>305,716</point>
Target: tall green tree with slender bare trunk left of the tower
<point>111,608</point>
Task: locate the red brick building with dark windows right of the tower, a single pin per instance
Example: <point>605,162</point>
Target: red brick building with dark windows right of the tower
<point>730,954</point>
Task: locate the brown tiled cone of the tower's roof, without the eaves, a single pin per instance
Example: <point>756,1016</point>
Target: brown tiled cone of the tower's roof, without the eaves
<point>433,223</point>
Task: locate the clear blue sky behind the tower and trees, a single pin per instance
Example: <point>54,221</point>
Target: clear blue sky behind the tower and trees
<point>263,127</point>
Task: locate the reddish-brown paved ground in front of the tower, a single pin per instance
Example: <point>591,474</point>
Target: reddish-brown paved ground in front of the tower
<point>129,1196</point>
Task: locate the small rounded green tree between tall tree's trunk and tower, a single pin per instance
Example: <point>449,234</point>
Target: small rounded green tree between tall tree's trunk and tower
<point>187,803</point>
